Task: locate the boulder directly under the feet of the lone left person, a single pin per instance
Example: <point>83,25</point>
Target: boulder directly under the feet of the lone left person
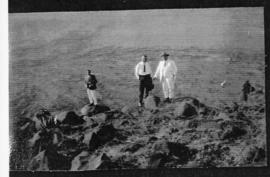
<point>89,110</point>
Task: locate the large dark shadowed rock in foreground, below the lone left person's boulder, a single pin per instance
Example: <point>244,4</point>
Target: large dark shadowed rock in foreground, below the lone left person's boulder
<point>102,136</point>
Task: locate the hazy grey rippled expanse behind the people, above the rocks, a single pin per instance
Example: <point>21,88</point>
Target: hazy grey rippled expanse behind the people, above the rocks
<point>50,53</point>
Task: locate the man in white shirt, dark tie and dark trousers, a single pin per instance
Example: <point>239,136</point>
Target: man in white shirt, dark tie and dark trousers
<point>143,73</point>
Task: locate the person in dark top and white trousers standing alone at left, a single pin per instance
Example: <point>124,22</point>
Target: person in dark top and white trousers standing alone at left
<point>91,85</point>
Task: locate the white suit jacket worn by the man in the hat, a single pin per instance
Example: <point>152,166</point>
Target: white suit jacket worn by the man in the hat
<point>166,69</point>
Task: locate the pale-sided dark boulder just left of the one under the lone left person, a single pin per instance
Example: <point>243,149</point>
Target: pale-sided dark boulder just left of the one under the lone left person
<point>69,118</point>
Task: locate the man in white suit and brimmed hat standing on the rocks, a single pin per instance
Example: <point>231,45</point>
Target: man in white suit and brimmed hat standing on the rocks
<point>167,71</point>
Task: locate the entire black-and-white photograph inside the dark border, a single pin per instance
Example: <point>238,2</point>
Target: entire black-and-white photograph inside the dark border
<point>137,89</point>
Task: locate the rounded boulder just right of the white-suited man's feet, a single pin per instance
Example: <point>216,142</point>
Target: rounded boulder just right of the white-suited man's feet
<point>185,109</point>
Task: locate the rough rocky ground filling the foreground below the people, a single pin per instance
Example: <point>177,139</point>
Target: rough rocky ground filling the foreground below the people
<point>175,136</point>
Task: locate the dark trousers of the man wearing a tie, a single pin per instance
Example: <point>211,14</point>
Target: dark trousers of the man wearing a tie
<point>145,81</point>
